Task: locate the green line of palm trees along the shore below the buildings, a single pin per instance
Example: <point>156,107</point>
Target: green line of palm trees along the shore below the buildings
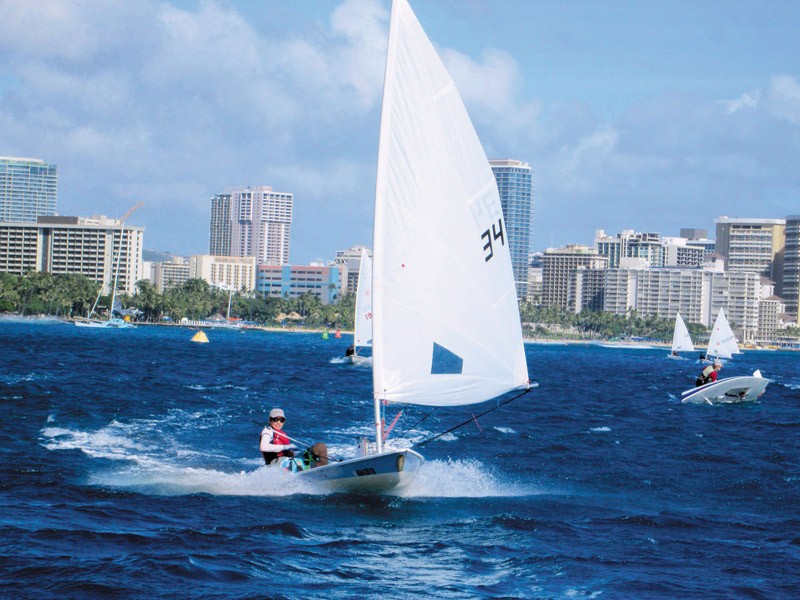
<point>74,295</point>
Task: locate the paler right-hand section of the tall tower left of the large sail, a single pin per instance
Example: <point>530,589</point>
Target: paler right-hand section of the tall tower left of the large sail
<point>261,222</point>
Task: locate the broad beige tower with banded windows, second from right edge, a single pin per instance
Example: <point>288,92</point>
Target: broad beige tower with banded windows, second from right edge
<point>752,245</point>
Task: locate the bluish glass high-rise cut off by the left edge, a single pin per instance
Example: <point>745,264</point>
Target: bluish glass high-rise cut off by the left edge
<point>28,189</point>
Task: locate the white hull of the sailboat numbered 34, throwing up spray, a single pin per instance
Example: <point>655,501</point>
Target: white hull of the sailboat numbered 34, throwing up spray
<point>367,474</point>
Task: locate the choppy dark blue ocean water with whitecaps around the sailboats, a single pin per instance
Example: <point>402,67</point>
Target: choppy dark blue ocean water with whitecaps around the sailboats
<point>130,469</point>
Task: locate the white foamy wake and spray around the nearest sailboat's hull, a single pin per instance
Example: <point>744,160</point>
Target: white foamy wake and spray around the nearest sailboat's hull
<point>146,458</point>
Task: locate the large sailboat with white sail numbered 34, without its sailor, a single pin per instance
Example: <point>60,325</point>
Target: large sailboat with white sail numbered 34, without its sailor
<point>446,326</point>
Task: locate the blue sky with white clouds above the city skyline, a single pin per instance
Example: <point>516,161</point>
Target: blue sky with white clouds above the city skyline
<point>643,115</point>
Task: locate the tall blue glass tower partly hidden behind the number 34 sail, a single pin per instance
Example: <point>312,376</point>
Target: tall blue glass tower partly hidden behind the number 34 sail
<point>515,184</point>
